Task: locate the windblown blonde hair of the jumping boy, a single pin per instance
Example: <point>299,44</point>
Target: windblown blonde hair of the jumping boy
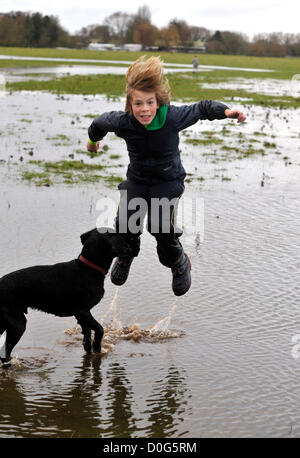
<point>147,76</point>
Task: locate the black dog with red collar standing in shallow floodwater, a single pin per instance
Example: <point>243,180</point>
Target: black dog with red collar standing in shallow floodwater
<point>65,289</point>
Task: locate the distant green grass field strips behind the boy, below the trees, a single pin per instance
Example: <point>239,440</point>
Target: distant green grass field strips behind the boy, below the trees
<point>185,86</point>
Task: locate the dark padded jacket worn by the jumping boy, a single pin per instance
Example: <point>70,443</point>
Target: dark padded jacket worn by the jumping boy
<point>154,154</point>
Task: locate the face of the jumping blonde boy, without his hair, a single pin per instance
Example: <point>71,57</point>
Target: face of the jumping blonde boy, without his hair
<point>144,106</point>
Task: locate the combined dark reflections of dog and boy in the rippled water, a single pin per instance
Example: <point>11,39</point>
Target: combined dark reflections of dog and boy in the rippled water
<point>92,405</point>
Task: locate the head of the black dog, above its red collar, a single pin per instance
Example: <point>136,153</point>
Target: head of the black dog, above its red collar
<point>101,245</point>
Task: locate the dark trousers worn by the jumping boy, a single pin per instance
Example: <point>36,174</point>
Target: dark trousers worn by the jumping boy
<point>159,202</point>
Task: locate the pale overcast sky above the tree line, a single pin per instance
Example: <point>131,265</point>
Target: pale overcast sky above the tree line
<point>247,16</point>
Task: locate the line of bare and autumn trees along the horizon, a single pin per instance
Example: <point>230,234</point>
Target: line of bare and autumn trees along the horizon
<point>37,30</point>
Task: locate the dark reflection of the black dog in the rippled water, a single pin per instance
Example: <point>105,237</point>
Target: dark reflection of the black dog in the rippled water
<point>33,404</point>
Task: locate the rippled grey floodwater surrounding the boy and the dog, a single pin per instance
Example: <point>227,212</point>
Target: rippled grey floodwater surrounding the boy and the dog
<point>221,361</point>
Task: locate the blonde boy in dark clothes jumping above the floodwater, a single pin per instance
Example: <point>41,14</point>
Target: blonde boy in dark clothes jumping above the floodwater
<point>150,126</point>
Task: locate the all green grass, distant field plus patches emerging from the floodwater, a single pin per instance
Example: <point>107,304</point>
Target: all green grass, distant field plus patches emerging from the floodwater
<point>185,87</point>
